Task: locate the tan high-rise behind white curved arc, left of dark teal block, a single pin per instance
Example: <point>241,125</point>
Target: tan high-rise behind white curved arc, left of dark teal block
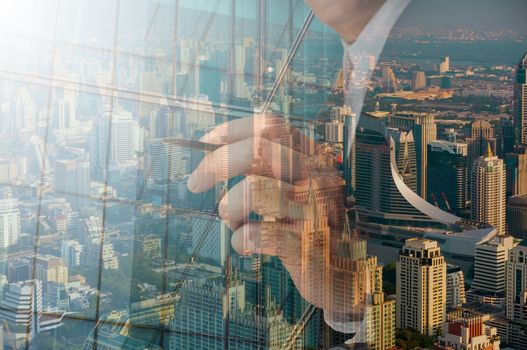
<point>425,131</point>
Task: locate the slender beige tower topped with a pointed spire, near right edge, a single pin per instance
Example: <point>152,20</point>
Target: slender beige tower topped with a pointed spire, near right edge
<point>488,191</point>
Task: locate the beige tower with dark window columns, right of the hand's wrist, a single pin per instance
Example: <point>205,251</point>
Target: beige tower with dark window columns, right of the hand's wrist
<point>421,286</point>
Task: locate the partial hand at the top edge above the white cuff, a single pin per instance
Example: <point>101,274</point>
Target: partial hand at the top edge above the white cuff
<point>346,17</point>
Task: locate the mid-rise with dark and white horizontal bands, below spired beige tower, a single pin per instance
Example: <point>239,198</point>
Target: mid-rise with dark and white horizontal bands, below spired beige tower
<point>490,262</point>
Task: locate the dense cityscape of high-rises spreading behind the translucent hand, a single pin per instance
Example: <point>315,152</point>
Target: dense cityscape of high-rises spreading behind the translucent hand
<point>102,245</point>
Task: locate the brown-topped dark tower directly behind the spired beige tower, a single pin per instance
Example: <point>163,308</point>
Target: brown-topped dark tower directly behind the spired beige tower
<point>481,136</point>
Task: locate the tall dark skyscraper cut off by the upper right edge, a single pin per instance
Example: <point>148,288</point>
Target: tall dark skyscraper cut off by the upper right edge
<point>520,101</point>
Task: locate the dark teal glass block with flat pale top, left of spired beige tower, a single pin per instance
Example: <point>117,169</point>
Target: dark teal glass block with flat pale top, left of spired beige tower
<point>447,175</point>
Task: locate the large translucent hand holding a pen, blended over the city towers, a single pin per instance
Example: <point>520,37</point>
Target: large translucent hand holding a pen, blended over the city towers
<point>291,183</point>
